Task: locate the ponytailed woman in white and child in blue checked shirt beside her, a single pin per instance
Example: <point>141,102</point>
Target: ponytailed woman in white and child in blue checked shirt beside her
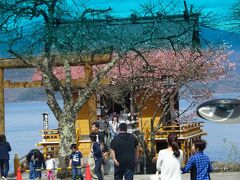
<point>169,161</point>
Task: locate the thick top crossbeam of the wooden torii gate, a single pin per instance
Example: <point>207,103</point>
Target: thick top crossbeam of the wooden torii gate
<point>74,60</point>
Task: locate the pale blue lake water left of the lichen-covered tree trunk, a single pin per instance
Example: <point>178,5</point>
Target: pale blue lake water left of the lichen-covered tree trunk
<point>23,124</point>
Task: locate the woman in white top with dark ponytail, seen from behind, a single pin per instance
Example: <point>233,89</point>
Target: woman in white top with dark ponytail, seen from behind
<point>170,159</point>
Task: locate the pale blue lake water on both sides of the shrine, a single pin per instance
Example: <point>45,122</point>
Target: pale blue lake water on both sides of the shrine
<point>24,122</point>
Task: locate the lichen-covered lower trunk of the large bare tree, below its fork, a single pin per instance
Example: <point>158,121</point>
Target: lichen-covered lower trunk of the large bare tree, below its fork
<point>67,137</point>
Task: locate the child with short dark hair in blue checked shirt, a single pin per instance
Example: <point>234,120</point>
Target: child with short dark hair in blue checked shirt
<point>199,161</point>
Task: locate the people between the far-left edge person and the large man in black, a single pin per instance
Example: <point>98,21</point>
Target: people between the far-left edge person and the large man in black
<point>99,150</point>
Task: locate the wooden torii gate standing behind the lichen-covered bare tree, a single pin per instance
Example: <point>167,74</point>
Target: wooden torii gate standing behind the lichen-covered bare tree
<point>13,63</point>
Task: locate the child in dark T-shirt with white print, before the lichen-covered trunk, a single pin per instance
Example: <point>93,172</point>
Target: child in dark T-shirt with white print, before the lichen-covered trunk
<point>76,162</point>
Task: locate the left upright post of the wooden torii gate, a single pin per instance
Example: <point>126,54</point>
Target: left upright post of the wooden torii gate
<point>2,120</point>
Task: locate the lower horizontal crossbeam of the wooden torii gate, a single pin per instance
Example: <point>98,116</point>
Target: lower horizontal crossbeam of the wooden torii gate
<point>76,83</point>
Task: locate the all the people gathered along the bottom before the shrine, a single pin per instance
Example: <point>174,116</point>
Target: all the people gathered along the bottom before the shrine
<point>123,149</point>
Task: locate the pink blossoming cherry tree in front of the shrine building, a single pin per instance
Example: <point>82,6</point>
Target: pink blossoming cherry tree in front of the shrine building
<point>160,74</point>
